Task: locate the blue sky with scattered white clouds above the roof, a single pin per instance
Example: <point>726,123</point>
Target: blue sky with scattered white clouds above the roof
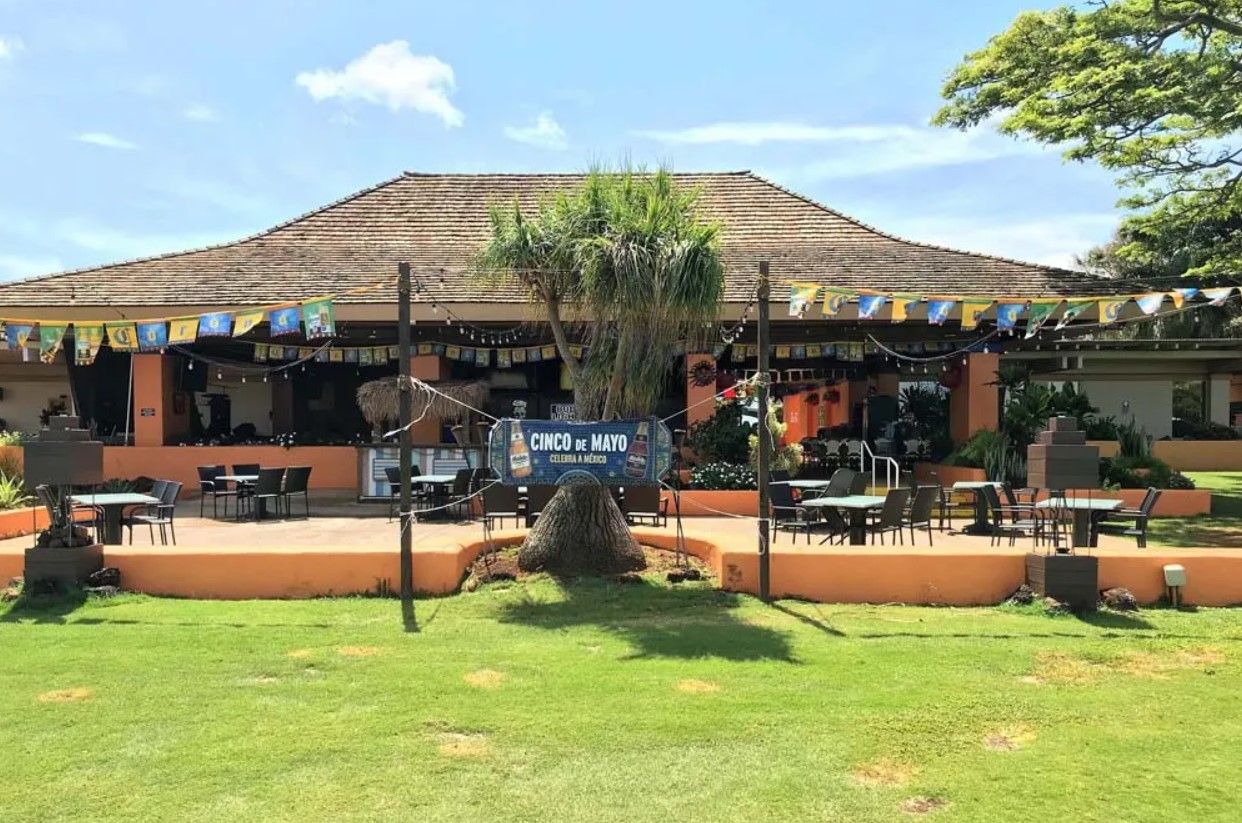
<point>136,128</point>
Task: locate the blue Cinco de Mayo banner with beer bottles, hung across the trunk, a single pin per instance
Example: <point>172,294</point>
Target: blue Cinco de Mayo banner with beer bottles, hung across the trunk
<point>552,452</point>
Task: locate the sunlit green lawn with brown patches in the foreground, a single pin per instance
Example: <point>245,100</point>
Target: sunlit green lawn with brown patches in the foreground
<point>599,702</point>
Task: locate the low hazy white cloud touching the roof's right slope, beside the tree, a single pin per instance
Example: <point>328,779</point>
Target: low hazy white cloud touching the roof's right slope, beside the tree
<point>1054,241</point>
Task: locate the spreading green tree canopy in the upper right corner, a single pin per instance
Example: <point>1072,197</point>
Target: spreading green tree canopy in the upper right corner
<point>1151,89</point>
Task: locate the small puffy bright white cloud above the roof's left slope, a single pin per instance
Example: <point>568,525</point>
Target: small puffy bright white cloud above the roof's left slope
<point>391,75</point>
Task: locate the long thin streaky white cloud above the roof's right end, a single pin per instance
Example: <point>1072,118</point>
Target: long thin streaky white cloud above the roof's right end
<point>858,151</point>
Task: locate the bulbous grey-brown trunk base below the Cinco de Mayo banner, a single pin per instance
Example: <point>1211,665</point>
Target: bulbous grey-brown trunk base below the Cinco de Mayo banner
<point>582,532</point>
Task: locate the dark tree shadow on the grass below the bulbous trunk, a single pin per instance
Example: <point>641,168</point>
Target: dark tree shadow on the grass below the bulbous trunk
<point>658,621</point>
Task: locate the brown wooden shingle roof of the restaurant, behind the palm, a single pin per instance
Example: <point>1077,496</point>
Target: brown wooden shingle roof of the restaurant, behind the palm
<point>438,222</point>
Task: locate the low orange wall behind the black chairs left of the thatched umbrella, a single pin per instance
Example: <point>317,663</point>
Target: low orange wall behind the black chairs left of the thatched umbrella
<point>333,467</point>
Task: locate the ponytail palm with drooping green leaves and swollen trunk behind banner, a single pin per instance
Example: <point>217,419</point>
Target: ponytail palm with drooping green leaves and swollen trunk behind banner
<point>625,259</point>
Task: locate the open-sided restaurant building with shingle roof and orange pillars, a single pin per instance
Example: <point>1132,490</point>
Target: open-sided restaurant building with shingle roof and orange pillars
<point>256,397</point>
